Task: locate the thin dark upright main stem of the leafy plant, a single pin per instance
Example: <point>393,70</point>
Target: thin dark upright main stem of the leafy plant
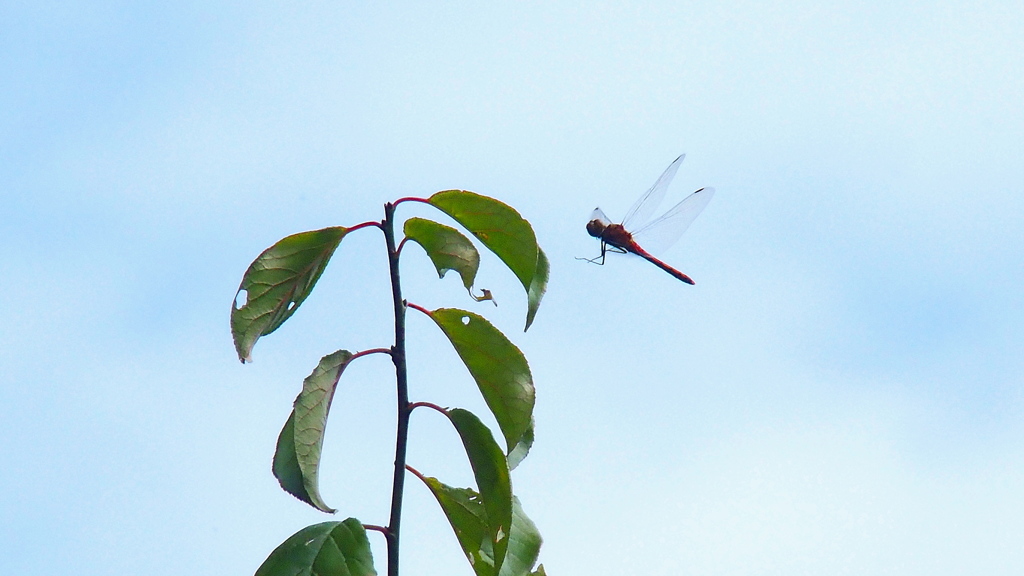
<point>402,379</point>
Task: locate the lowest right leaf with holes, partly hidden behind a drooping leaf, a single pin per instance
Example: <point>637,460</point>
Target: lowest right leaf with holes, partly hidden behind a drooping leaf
<point>467,516</point>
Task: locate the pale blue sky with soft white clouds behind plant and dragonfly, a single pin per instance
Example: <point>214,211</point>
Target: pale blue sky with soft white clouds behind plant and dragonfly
<point>841,393</point>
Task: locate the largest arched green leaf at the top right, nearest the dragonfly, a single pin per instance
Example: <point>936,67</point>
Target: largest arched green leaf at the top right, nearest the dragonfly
<point>503,231</point>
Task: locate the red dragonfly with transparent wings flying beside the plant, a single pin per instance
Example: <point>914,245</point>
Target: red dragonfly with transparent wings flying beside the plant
<point>657,235</point>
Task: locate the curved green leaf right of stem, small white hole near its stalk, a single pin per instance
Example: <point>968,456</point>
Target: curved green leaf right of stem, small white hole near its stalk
<point>498,366</point>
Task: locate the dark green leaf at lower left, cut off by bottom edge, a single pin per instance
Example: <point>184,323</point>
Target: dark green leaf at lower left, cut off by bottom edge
<point>331,549</point>
